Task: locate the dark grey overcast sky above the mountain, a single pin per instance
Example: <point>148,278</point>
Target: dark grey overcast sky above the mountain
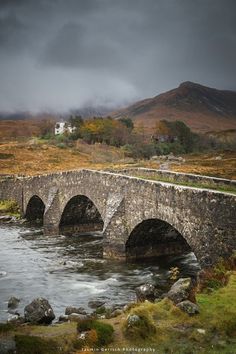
<point>63,54</point>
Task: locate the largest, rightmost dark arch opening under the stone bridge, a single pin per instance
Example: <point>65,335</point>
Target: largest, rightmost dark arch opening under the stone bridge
<point>153,238</point>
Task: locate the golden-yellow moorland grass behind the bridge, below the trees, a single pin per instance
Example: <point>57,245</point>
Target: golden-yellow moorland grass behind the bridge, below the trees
<point>34,156</point>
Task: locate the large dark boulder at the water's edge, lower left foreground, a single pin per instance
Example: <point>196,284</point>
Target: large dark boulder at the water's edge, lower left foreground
<point>39,312</point>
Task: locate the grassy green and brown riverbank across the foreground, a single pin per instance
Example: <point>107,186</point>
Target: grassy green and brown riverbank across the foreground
<point>163,328</point>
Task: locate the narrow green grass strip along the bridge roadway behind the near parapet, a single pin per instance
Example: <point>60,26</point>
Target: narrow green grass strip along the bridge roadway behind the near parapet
<point>213,186</point>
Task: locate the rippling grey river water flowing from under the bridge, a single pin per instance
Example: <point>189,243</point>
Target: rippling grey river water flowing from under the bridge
<point>70,271</point>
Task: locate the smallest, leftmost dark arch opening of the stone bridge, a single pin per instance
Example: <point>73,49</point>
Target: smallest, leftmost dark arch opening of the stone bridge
<point>35,209</point>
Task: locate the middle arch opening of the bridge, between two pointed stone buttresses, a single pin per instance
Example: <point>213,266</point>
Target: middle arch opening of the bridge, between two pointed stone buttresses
<point>80,214</point>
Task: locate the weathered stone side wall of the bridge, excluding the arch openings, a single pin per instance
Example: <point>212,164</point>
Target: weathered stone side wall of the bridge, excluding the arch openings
<point>205,218</point>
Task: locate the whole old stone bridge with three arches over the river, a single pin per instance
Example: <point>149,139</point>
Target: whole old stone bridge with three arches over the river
<point>138,218</point>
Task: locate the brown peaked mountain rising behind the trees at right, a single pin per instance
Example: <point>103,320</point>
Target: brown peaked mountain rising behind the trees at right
<point>200,107</point>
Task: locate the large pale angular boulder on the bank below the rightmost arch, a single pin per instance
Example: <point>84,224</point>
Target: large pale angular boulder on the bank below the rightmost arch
<point>180,290</point>
